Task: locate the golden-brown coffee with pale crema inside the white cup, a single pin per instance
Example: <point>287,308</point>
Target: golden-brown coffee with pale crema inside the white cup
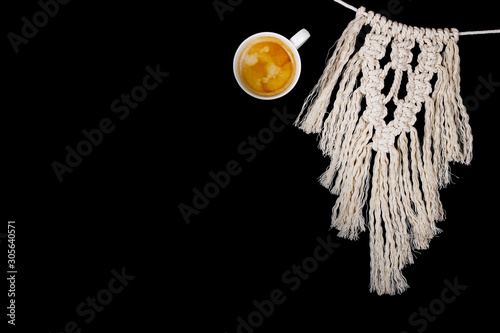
<point>266,66</point>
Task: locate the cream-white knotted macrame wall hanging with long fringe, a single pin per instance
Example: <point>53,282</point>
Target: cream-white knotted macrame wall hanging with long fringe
<point>387,165</point>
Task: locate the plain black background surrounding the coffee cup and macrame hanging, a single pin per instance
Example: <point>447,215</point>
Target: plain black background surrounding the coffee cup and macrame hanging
<point>120,206</point>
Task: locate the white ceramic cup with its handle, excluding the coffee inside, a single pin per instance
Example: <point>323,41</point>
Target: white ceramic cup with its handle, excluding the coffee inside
<point>293,44</point>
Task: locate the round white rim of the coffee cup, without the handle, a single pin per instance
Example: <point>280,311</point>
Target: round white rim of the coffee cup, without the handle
<point>298,64</point>
